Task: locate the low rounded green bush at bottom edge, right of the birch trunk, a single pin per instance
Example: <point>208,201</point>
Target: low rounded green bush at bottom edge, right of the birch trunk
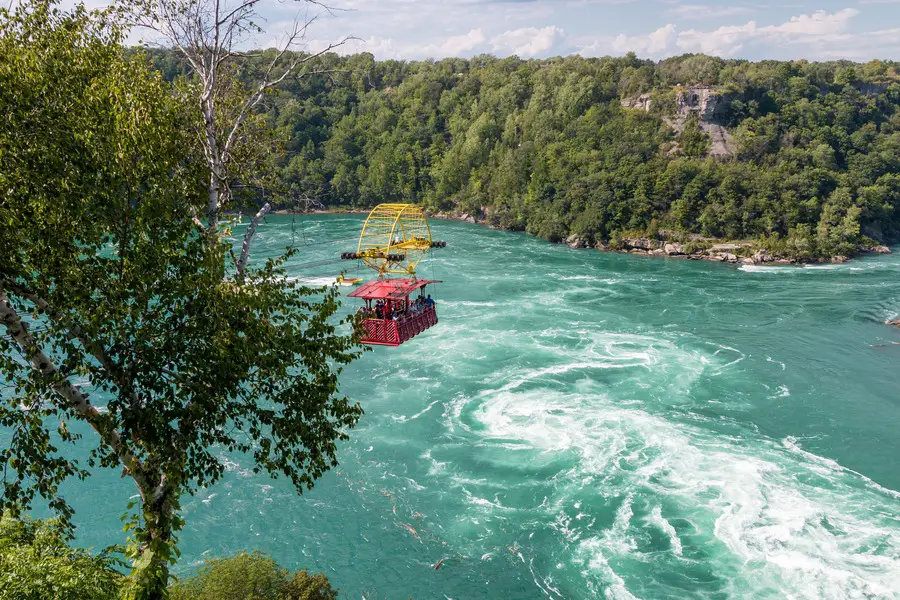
<point>251,576</point>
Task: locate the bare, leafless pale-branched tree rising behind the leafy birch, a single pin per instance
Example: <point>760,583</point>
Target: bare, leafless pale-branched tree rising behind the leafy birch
<point>211,35</point>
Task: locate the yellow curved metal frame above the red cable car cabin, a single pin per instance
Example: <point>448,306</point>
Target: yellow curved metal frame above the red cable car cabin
<point>394,229</point>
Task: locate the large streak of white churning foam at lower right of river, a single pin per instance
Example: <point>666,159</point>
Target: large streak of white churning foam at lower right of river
<point>832,537</point>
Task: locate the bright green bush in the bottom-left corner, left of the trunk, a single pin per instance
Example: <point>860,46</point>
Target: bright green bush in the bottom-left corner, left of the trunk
<point>37,563</point>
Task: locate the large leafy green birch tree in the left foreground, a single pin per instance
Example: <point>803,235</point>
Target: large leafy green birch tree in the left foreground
<point>119,331</point>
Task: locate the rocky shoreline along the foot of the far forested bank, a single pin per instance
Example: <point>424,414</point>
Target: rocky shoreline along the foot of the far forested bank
<point>696,248</point>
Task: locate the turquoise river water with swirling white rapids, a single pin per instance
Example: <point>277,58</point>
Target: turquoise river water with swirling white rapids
<point>590,425</point>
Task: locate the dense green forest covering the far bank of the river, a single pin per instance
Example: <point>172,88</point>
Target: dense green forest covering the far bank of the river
<point>547,146</point>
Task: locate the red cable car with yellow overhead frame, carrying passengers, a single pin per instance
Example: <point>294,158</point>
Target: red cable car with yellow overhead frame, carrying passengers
<point>394,239</point>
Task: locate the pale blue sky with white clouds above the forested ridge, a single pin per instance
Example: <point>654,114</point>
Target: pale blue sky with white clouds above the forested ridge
<point>415,29</point>
